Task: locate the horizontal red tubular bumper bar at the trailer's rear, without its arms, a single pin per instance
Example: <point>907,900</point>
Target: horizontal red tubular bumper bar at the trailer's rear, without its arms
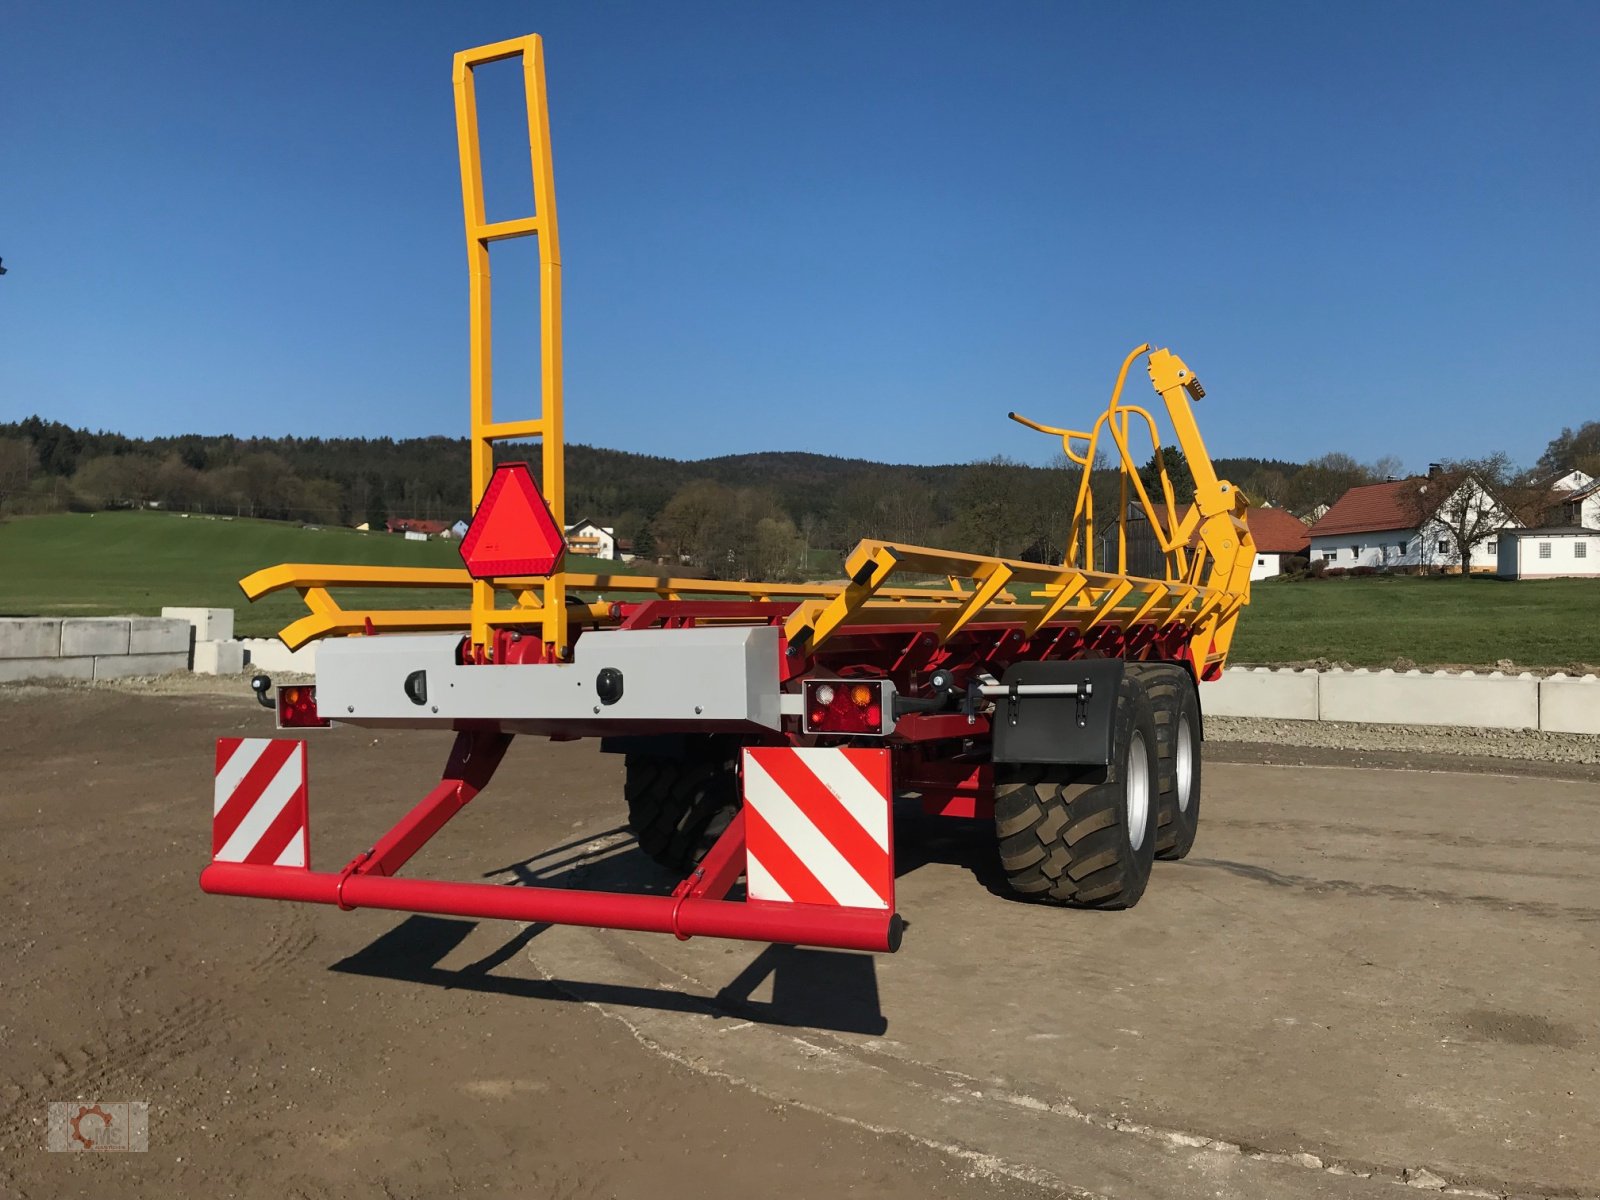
<point>682,916</point>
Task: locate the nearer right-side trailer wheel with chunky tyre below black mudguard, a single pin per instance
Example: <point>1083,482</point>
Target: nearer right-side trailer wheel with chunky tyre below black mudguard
<point>1084,836</point>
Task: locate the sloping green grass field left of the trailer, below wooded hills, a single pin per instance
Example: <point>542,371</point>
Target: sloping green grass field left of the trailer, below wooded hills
<point>137,562</point>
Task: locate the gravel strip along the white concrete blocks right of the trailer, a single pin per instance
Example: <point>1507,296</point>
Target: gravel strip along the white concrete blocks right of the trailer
<point>1404,740</point>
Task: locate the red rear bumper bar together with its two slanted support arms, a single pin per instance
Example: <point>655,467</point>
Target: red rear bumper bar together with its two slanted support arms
<point>695,910</point>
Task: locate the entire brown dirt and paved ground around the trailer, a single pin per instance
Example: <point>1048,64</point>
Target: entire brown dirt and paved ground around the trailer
<point>1362,978</point>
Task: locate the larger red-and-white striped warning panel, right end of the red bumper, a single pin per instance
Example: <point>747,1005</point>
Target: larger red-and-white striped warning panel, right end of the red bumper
<point>817,826</point>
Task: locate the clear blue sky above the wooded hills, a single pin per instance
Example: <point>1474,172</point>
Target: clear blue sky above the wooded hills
<point>857,230</point>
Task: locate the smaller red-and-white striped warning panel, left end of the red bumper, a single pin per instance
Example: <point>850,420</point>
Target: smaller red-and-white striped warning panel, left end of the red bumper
<point>258,812</point>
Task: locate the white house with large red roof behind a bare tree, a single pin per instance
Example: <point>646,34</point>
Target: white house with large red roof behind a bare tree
<point>1396,526</point>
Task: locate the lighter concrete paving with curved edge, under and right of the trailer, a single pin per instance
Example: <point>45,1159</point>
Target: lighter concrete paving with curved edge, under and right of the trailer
<point>1335,980</point>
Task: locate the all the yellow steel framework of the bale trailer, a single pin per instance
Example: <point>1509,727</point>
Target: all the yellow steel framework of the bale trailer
<point>1207,550</point>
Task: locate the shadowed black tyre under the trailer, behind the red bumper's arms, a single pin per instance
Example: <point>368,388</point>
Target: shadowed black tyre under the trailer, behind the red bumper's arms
<point>679,806</point>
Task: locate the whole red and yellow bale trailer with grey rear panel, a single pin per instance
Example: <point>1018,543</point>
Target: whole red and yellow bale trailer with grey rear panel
<point>769,729</point>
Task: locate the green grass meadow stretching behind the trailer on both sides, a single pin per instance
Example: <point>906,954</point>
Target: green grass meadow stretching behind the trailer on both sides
<point>137,562</point>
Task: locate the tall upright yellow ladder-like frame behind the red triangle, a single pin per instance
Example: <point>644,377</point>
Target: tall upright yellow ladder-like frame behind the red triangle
<point>542,602</point>
